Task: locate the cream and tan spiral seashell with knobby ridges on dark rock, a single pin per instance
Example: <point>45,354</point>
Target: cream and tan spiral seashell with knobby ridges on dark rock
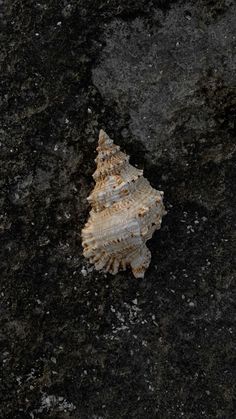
<point>125,212</point>
